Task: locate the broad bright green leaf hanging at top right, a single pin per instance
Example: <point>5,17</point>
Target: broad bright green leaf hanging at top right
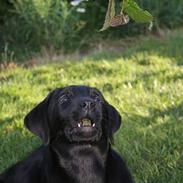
<point>135,12</point>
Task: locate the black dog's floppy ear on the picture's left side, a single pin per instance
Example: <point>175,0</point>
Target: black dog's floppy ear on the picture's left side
<point>37,120</point>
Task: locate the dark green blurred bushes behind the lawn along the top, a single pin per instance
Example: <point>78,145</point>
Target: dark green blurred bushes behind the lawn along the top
<point>27,29</point>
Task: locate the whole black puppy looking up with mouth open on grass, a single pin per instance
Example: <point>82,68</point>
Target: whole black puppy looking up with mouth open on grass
<point>76,125</point>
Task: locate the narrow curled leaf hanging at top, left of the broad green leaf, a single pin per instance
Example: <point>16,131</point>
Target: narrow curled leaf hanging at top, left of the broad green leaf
<point>109,15</point>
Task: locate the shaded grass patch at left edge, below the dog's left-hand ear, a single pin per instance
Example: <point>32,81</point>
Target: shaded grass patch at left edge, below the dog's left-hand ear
<point>14,146</point>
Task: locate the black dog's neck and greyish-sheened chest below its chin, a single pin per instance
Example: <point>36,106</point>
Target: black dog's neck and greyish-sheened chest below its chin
<point>83,163</point>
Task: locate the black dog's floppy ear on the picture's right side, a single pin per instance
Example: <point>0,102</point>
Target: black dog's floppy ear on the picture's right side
<point>114,119</point>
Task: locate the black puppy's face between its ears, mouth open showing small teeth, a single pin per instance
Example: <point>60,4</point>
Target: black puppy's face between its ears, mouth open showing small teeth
<point>80,112</point>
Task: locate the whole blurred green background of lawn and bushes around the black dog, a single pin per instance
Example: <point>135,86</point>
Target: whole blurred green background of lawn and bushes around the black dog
<point>46,44</point>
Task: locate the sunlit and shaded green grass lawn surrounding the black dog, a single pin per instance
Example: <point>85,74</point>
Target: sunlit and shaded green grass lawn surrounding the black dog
<point>144,82</point>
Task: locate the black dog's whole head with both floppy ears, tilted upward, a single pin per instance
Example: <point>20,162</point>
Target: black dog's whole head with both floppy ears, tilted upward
<point>79,113</point>
